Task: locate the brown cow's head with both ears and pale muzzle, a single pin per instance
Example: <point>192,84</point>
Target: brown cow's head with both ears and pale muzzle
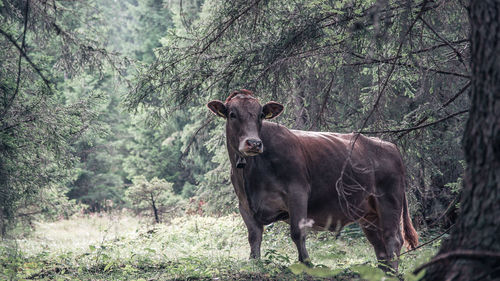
<point>244,116</point>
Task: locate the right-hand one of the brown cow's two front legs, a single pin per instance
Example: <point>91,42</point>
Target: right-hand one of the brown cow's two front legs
<point>297,203</point>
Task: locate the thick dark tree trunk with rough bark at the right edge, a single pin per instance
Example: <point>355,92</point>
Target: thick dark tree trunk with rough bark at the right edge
<point>472,251</point>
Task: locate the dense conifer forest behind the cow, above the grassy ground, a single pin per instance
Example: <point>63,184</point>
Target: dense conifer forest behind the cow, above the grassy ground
<point>102,103</point>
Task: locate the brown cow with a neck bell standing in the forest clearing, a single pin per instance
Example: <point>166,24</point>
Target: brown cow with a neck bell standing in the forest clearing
<point>292,175</point>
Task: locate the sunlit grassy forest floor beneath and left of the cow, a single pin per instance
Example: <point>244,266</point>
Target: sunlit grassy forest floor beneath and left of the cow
<point>122,247</point>
